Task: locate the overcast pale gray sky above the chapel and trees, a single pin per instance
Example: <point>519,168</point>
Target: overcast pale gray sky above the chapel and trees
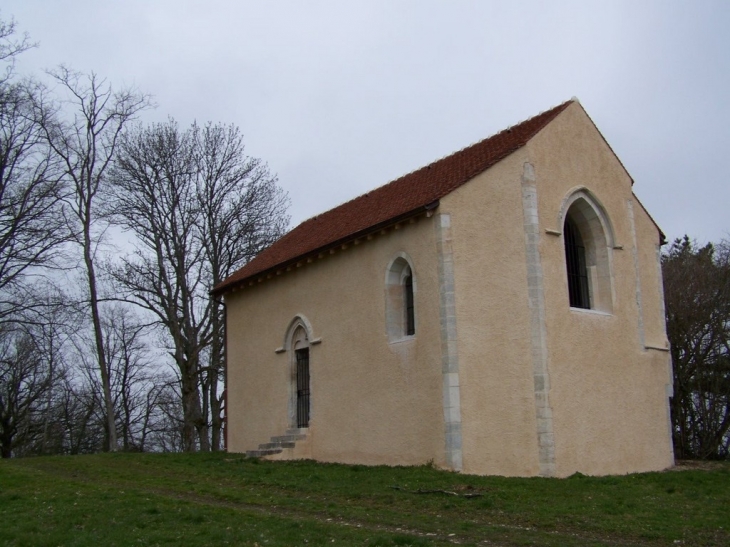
<point>339,97</point>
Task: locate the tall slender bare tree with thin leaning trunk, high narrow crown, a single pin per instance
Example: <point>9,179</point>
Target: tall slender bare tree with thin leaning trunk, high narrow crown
<point>85,146</point>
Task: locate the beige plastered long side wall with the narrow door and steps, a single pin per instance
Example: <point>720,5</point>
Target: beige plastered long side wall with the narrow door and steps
<point>372,401</point>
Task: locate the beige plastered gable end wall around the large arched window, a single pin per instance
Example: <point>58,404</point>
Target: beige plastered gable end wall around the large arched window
<point>608,372</point>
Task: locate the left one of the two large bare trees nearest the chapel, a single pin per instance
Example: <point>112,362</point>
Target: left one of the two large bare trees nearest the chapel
<point>154,198</point>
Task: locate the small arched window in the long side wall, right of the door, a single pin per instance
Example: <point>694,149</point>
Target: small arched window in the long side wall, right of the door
<point>400,300</point>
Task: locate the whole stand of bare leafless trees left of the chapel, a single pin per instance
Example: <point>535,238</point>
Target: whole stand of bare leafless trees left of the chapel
<point>198,208</point>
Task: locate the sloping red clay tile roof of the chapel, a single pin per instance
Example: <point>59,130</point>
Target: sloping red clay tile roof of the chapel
<point>414,192</point>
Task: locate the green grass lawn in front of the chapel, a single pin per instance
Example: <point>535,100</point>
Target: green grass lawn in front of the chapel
<point>225,499</point>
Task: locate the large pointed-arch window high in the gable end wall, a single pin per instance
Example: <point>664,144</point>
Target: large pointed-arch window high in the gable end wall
<point>588,240</point>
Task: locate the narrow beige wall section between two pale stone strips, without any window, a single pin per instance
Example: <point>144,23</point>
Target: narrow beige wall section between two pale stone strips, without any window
<point>497,397</point>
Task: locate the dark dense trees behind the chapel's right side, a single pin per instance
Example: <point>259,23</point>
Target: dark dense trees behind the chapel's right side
<point>697,295</point>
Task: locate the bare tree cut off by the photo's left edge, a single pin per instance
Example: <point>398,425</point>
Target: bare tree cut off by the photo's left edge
<point>31,237</point>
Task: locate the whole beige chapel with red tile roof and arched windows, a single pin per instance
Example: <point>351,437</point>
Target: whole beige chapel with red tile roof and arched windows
<point>499,311</point>
